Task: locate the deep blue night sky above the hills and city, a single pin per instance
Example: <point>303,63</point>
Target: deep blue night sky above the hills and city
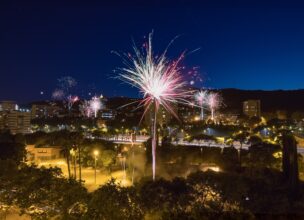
<point>246,46</point>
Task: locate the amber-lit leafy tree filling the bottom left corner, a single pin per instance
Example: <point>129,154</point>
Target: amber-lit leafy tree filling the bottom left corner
<point>39,192</point>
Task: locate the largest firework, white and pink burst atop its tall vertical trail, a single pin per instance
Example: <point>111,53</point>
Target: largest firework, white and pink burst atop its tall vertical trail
<point>159,80</point>
